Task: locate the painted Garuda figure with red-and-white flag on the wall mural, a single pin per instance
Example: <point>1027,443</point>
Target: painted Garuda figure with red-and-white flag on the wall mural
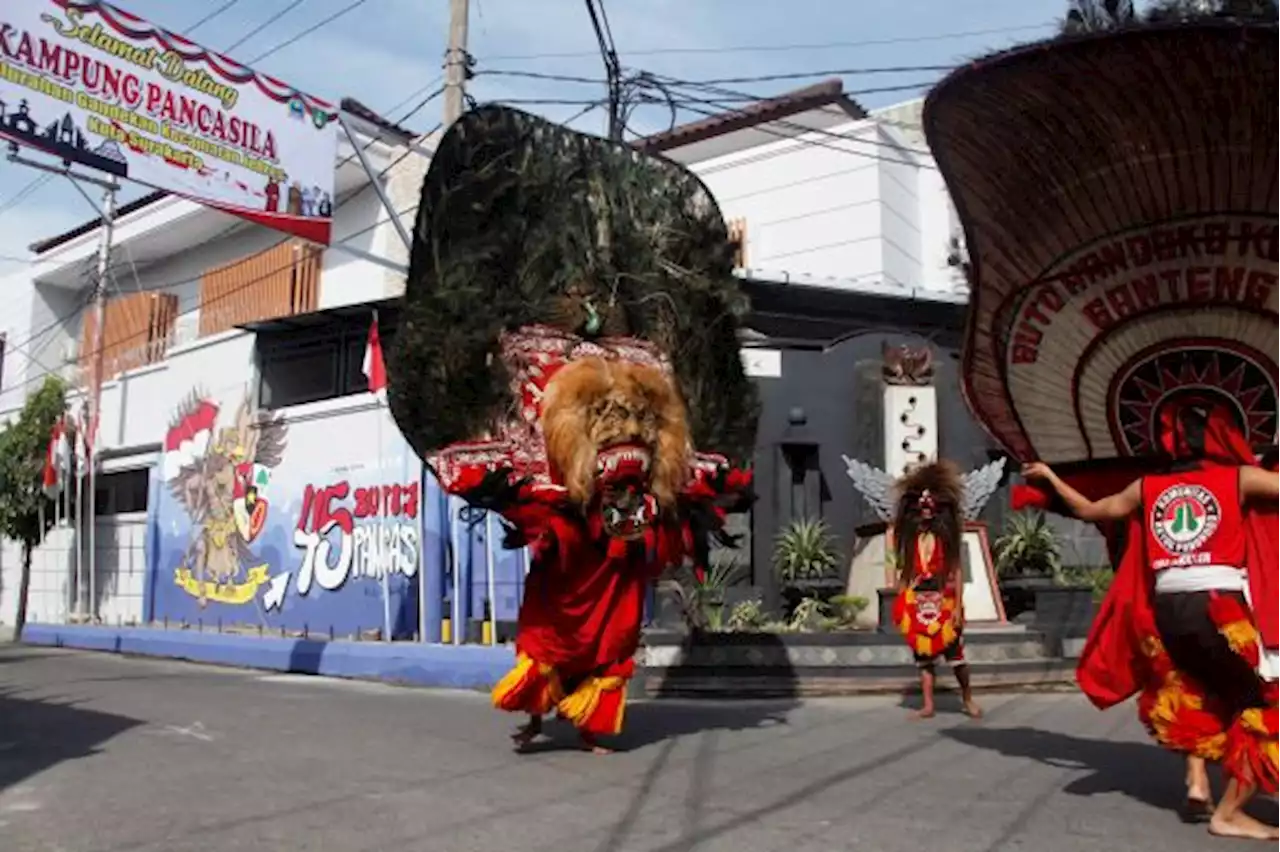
<point>220,475</point>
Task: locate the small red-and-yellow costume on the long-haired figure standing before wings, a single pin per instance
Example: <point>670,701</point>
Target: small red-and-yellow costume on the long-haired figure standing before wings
<point>926,611</point>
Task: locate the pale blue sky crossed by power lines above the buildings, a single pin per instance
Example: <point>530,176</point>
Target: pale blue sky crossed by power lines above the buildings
<point>386,51</point>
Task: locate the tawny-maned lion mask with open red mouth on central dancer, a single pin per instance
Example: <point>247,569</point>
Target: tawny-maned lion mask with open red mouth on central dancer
<point>618,439</point>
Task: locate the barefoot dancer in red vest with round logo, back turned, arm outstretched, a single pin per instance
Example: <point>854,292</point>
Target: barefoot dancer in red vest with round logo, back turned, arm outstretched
<point>1191,620</point>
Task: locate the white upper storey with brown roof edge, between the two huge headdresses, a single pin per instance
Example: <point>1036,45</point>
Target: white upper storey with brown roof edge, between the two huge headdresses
<point>825,193</point>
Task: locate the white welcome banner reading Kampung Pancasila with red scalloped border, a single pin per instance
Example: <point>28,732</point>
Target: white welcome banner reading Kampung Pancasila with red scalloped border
<point>100,88</point>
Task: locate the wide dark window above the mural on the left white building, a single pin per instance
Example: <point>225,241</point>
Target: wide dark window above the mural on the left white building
<point>322,361</point>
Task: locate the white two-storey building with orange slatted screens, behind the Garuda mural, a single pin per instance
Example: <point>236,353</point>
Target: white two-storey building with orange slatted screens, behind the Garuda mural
<point>185,282</point>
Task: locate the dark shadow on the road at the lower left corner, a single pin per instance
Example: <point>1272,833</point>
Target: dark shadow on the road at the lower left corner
<point>40,734</point>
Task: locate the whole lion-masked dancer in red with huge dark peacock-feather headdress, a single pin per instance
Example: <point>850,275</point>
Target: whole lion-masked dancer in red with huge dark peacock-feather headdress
<point>569,341</point>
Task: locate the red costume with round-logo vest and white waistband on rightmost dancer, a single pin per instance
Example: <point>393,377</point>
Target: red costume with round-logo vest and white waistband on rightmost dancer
<point>1191,520</point>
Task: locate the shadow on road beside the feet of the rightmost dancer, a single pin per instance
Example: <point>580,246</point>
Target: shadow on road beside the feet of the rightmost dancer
<point>1142,772</point>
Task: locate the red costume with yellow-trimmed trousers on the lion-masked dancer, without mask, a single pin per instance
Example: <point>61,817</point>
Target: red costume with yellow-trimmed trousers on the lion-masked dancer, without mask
<point>583,608</point>
